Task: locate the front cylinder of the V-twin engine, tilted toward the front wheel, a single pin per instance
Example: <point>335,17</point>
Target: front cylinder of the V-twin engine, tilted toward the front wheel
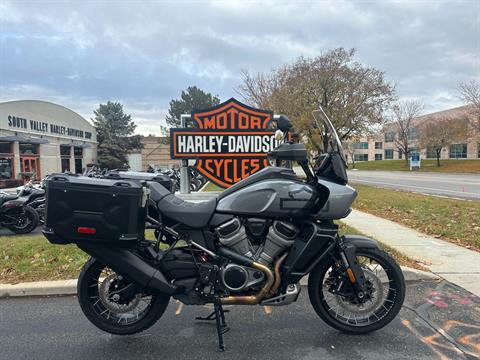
<point>280,236</point>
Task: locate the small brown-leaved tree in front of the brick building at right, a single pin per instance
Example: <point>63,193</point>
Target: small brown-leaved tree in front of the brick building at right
<point>435,134</point>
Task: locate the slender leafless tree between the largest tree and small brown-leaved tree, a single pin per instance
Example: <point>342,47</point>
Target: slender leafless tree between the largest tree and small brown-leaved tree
<point>403,115</point>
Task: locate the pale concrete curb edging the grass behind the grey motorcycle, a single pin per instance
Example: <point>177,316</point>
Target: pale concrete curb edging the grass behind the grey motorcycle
<point>69,287</point>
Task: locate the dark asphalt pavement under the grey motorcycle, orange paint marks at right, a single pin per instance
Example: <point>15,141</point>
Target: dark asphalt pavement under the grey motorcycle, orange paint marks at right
<point>55,328</point>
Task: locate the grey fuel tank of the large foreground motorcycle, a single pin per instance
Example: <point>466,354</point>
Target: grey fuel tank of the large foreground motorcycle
<point>270,198</point>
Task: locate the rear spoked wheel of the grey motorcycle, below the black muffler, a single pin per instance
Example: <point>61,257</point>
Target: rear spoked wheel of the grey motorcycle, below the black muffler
<point>114,304</point>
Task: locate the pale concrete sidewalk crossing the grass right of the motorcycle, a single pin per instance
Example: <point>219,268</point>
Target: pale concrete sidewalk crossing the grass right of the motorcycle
<point>454,263</point>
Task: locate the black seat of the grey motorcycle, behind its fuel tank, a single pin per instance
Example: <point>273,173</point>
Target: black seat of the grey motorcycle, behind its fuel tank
<point>194,215</point>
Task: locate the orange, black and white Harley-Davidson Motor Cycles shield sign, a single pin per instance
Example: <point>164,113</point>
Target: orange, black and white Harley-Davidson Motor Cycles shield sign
<point>230,141</point>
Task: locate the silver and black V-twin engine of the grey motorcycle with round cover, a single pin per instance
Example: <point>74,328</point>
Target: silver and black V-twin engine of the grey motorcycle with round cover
<point>263,245</point>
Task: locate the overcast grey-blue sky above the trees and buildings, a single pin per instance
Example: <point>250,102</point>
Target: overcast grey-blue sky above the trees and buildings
<point>79,54</point>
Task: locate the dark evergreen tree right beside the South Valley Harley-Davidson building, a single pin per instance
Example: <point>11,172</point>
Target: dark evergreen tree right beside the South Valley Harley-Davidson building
<point>115,135</point>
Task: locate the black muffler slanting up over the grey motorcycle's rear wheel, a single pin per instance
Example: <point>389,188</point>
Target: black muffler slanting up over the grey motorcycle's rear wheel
<point>132,267</point>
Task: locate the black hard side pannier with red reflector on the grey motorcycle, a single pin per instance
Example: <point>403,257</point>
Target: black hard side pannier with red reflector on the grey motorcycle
<point>85,210</point>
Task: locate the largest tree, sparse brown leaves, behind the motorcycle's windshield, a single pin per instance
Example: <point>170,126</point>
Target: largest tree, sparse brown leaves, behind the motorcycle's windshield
<point>353,95</point>
